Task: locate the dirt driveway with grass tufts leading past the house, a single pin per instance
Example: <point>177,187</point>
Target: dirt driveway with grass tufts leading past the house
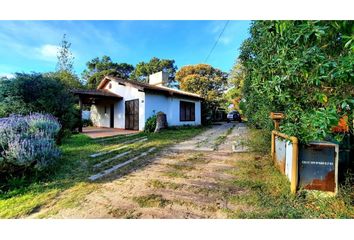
<point>189,180</point>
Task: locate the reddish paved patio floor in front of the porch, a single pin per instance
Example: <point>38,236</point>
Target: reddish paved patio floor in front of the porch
<point>101,132</point>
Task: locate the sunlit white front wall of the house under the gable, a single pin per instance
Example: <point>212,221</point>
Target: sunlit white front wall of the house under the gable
<point>128,93</point>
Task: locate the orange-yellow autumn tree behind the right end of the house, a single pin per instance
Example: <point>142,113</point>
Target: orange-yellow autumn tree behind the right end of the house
<point>205,80</point>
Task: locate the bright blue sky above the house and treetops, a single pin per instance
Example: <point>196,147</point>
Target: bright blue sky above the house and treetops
<point>32,45</point>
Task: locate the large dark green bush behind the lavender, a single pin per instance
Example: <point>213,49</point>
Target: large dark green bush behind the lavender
<point>35,92</point>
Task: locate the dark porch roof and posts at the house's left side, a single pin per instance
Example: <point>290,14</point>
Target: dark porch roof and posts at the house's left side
<point>98,97</point>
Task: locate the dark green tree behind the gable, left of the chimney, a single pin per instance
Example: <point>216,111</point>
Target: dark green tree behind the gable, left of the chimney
<point>98,68</point>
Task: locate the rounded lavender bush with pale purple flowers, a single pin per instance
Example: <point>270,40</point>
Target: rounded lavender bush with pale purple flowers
<point>28,142</point>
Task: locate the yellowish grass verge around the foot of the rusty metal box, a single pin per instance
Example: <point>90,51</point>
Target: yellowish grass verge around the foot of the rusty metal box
<point>266,192</point>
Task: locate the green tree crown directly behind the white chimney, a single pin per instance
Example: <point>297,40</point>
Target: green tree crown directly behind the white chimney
<point>144,69</point>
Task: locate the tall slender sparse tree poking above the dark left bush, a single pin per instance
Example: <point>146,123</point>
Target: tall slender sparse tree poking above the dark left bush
<point>65,66</point>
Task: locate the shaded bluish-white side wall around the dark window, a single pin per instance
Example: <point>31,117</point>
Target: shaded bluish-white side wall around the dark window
<point>170,106</point>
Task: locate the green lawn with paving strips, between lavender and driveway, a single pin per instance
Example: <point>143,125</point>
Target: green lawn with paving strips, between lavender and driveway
<point>67,182</point>
